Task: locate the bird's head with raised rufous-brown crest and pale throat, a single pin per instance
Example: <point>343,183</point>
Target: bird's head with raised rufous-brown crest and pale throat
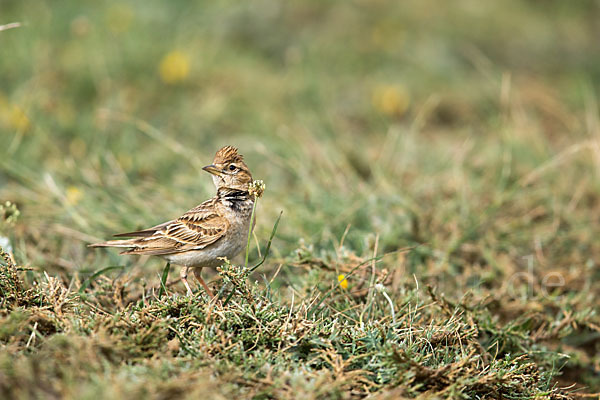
<point>229,170</point>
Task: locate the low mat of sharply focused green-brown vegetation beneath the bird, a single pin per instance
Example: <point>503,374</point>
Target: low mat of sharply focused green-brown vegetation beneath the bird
<point>258,346</point>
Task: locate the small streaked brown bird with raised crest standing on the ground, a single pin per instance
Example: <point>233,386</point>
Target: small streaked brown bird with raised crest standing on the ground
<point>215,229</point>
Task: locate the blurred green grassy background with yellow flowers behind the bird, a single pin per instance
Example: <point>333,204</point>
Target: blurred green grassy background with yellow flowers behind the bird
<point>469,128</point>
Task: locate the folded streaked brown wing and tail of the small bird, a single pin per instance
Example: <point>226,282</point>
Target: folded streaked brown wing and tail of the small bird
<point>194,230</point>
